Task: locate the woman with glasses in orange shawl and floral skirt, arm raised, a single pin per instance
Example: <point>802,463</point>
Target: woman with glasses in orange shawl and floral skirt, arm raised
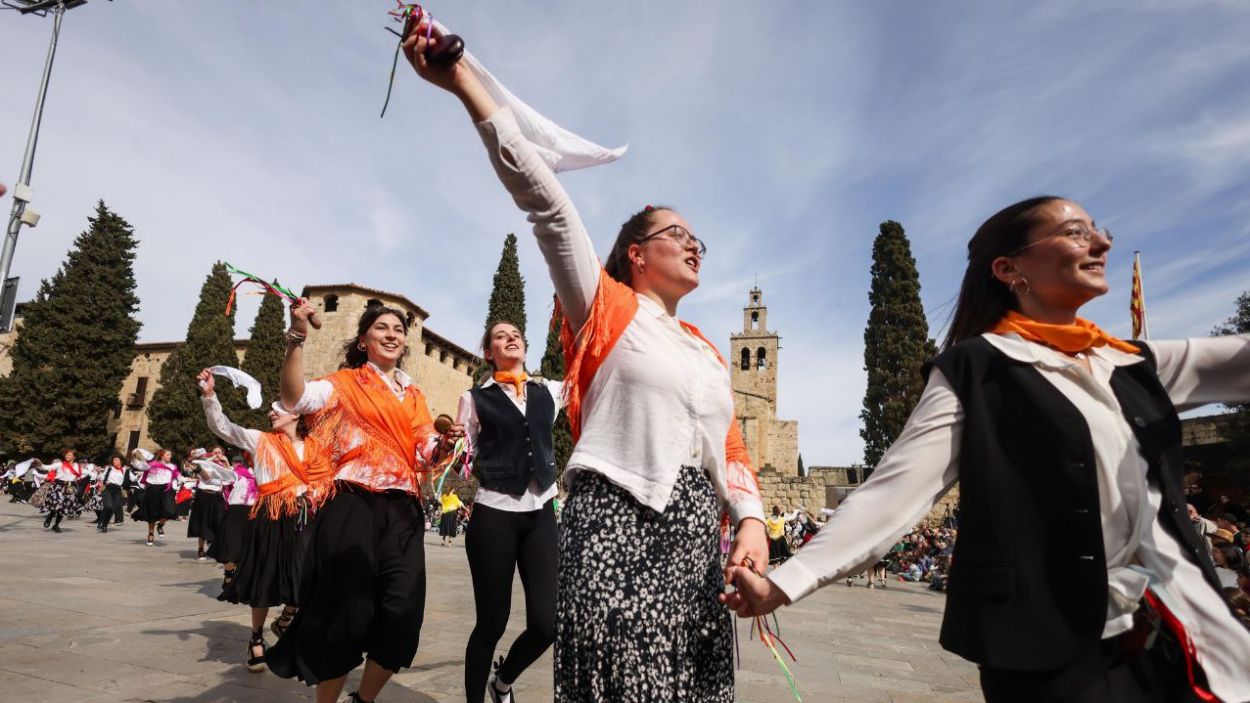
<point>658,453</point>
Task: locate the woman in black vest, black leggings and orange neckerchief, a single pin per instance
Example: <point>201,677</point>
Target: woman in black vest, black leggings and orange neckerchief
<point>508,423</point>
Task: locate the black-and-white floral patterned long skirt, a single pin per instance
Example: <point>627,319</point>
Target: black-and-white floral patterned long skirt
<point>637,611</point>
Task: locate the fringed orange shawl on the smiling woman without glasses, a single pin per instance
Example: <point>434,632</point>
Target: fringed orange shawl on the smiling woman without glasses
<point>391,430</point>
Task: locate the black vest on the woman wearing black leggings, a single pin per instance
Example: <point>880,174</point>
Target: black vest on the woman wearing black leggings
<point>514,448</point>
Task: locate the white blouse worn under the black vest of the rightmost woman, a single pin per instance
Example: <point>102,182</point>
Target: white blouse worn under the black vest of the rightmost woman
<point>924,463</point>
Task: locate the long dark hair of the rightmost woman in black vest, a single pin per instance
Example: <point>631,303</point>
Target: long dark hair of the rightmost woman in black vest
<point>984,300</point>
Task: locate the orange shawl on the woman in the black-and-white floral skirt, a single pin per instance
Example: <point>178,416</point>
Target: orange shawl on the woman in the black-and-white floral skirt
<point>612,312</point>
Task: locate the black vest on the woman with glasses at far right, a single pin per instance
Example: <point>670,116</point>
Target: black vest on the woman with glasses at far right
<point>1028,580</point>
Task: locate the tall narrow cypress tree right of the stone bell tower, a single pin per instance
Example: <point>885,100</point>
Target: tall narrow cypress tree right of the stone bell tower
<point>896,343</point>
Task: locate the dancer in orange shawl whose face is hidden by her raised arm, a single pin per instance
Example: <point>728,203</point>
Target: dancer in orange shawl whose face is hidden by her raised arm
<point>268,571</point>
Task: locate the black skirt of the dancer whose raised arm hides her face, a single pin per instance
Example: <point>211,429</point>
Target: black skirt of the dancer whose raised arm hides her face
<point>269,570</point>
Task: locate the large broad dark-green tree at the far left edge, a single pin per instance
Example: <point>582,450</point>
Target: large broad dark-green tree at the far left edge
<point>76,348</point>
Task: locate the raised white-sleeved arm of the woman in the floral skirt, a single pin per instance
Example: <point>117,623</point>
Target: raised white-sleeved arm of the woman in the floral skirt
<point>562,237</point>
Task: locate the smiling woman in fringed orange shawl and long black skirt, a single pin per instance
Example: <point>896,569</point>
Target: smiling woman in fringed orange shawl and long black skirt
<point>363,589</point>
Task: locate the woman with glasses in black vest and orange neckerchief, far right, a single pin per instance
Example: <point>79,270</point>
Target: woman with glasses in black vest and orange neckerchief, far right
<point>1077,575</point>
